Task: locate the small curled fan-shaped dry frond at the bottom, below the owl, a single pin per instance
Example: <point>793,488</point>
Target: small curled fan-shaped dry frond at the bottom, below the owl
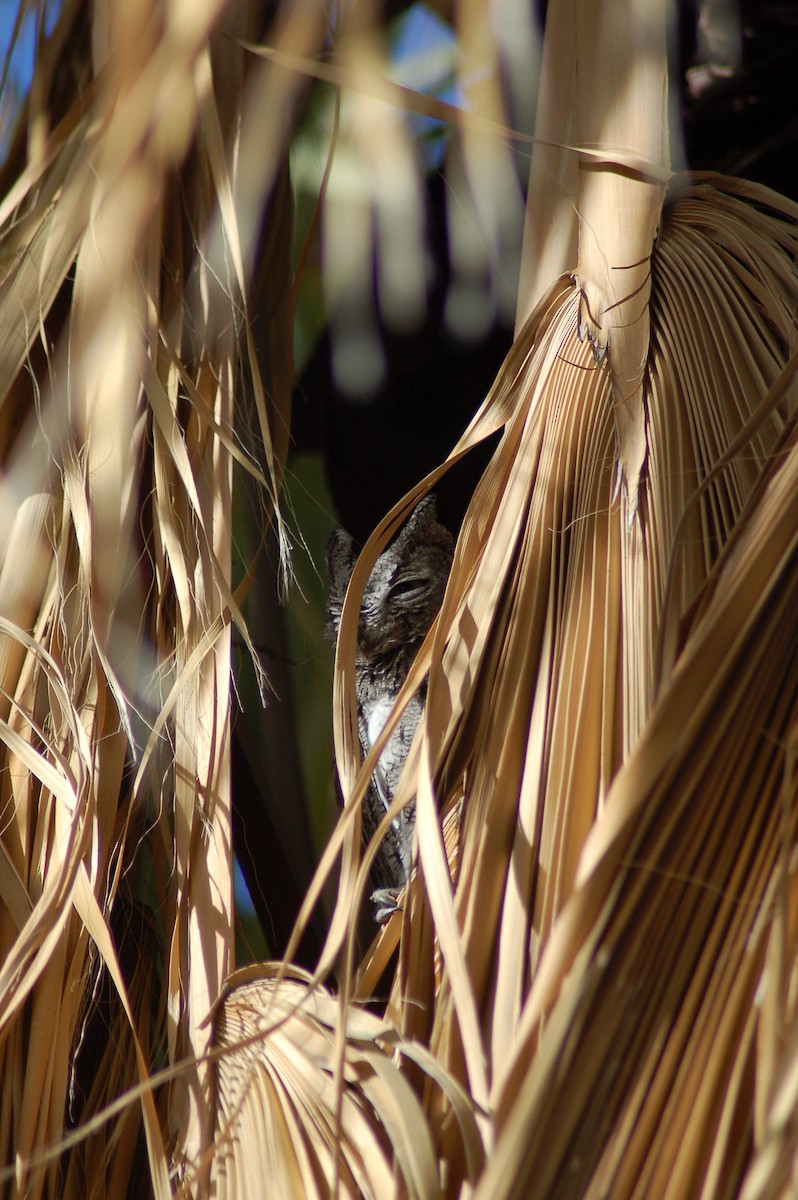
<point>284,1126</point>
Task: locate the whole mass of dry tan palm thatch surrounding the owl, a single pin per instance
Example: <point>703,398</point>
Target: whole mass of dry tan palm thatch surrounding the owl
<point>601,1005</point>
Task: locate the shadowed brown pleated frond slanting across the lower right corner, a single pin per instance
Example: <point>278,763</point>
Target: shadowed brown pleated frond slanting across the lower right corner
<point>653,1040</point>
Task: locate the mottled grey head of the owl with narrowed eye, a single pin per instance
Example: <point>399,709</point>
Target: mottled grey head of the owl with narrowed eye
<point>407,584</point>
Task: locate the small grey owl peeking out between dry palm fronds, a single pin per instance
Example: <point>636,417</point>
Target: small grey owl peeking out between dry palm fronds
<point>403,597</point>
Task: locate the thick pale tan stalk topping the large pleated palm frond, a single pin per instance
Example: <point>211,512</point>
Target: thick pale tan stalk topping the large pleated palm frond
<point>597,220</point>
